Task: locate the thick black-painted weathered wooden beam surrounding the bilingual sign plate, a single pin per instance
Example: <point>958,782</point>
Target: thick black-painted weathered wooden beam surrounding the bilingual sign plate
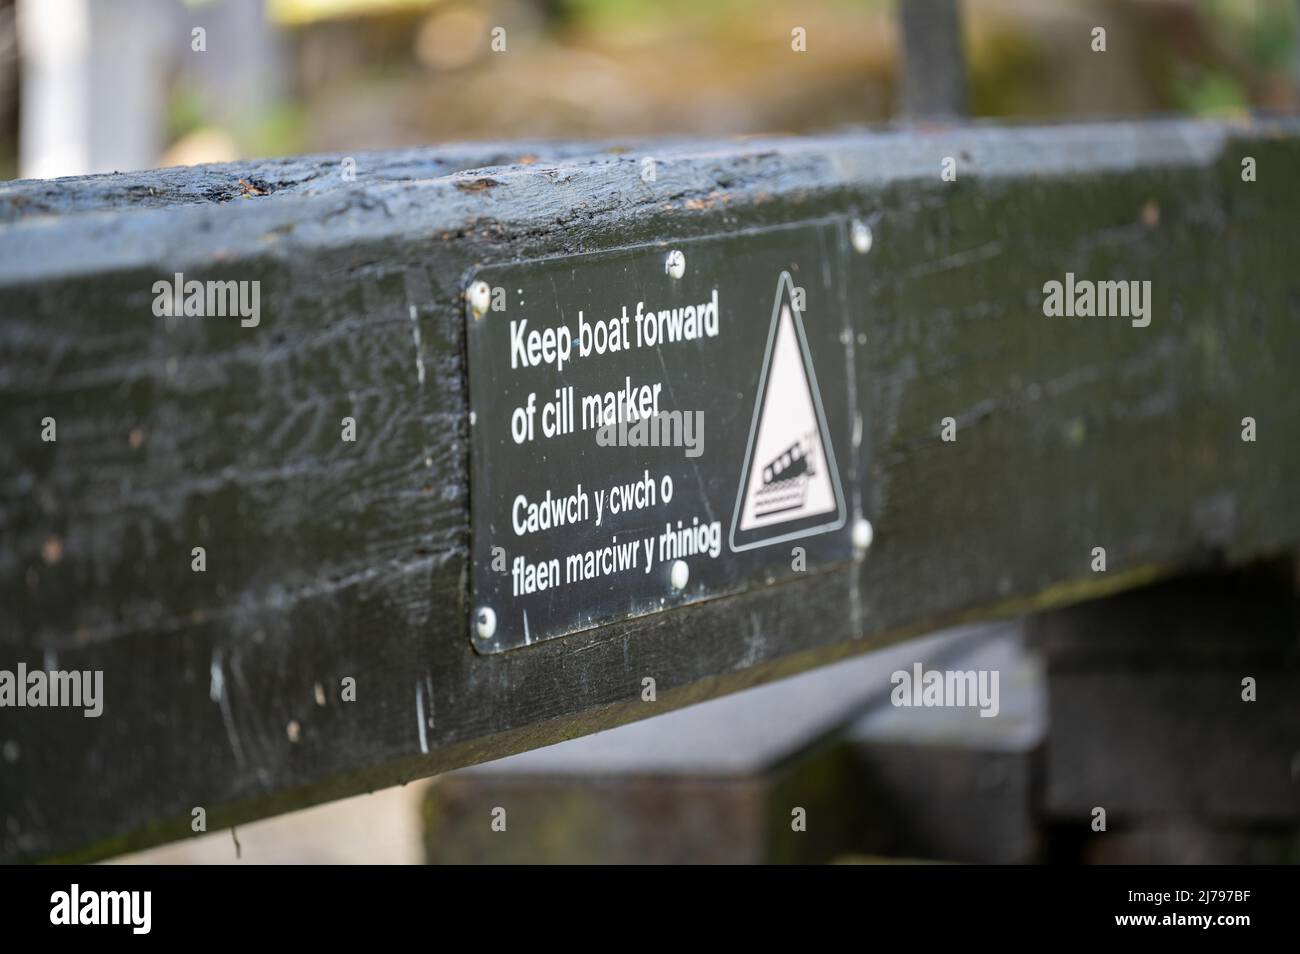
<point>331,561</point>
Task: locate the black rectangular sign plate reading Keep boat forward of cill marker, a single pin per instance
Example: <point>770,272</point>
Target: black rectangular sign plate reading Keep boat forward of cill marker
<point>656,426</point>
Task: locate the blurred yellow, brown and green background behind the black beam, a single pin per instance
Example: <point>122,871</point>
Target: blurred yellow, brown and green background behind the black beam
<point>281,77</point>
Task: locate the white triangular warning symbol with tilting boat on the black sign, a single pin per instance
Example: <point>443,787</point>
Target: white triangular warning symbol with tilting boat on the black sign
<point>790,484</point>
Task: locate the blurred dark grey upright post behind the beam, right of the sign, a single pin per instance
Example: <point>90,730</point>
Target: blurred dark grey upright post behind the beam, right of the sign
<point>934,83</point>
